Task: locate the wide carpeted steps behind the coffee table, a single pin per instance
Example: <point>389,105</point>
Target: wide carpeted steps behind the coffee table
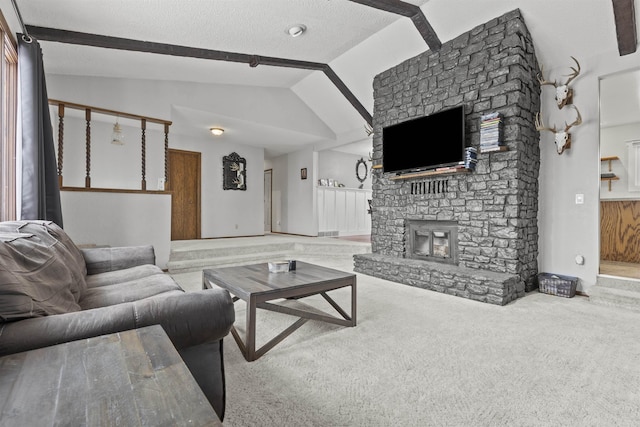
<point>195,255</point>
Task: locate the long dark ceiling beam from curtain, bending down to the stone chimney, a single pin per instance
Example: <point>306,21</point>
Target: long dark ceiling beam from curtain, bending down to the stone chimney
<point>108,42</point>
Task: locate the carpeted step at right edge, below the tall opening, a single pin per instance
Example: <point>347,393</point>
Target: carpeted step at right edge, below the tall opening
<point>616,292</point>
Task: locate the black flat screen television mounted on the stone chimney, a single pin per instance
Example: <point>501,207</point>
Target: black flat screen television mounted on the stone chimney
<point>428,142</point>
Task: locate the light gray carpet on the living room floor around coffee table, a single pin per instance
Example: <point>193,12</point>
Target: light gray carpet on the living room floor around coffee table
<point>420,358</point>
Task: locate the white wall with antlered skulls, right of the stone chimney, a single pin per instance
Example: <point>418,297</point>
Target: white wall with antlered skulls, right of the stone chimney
<point>567,229</point>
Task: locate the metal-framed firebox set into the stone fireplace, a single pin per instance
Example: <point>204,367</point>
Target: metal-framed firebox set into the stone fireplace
<point>432,240</point>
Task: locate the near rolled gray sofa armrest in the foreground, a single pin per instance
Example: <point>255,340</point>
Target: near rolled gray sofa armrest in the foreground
<point>191,318</point>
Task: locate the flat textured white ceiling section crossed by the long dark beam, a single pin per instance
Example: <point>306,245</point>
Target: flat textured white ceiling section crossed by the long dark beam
<point>242,26</point>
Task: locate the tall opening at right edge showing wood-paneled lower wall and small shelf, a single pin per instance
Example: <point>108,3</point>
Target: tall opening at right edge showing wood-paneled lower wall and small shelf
<point>620,174</point>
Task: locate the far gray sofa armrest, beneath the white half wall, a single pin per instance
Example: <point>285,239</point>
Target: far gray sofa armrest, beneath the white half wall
<point>100,260</point>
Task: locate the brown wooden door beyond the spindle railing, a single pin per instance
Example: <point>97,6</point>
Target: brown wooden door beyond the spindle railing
<point>184,184</point>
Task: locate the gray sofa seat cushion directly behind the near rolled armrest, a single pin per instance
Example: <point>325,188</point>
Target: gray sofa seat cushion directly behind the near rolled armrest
<point>155,285</point>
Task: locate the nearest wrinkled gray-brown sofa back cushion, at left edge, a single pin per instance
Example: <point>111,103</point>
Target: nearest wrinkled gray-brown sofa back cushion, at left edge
<point>35,279</point>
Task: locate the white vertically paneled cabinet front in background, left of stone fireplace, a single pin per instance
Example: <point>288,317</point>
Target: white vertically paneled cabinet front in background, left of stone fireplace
<point>343,211</point>
